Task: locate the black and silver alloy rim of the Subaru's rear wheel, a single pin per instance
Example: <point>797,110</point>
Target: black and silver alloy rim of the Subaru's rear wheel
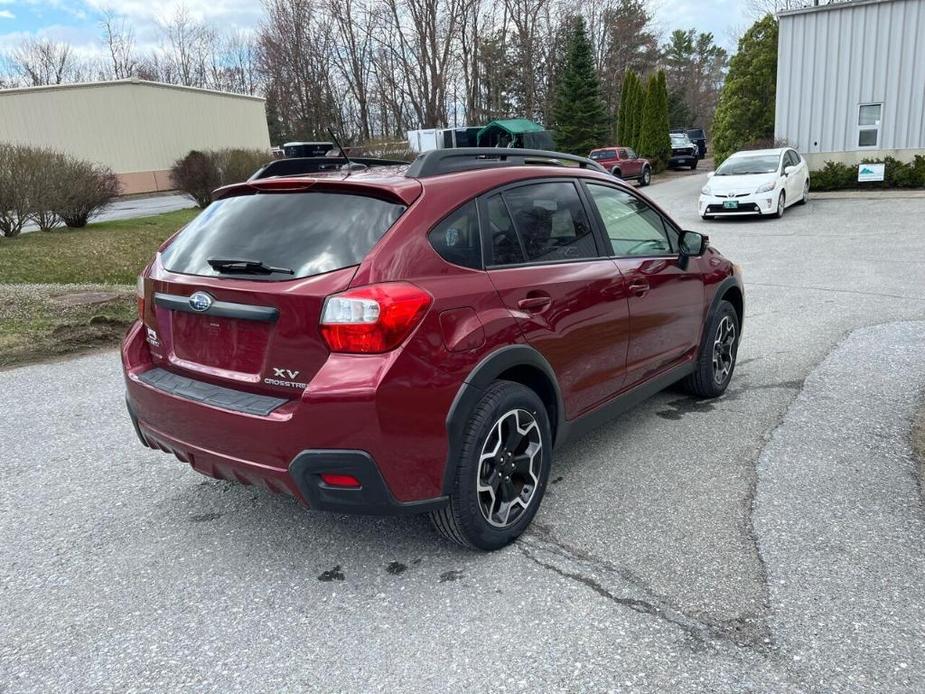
<point>509,468</point>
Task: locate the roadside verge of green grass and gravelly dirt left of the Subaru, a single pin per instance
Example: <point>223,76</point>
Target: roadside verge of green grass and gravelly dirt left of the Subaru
<point>71,290</point>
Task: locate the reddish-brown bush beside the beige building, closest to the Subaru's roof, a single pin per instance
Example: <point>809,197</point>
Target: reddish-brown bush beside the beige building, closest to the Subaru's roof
<point>198,174</point>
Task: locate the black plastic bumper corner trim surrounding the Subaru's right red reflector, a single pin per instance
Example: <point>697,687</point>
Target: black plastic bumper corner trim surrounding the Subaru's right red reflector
<point>371,498</point>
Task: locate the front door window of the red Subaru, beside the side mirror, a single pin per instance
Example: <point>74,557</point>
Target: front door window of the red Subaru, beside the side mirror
<point>634,228</point>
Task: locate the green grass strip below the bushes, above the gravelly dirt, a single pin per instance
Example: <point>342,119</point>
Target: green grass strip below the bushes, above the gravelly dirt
<point>104,253</point>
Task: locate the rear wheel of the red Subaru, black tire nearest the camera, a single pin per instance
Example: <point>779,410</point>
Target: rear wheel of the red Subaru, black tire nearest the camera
<point>465,520</point>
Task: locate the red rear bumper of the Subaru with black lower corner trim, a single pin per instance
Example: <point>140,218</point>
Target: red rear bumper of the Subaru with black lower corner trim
<point>355,414</point>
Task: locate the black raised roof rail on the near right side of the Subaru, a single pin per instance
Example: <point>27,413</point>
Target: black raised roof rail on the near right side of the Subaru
<point>441,161</point>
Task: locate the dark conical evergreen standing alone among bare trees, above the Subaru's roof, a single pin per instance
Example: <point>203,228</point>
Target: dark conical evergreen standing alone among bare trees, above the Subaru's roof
<point>580,113</point>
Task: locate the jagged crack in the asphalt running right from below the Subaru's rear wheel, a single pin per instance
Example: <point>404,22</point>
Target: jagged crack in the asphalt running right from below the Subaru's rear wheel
<point>748,632</point>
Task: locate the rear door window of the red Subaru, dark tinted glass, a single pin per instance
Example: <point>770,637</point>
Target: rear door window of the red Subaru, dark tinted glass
<point>551,222</point>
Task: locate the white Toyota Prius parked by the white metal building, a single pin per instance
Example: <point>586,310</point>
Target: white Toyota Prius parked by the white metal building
<point>762,182</point>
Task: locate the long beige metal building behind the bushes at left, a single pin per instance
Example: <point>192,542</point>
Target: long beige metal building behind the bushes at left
<point>136,128</point>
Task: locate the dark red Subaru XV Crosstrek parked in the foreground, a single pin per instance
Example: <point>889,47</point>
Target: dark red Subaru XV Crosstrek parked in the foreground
<point>421,338</point>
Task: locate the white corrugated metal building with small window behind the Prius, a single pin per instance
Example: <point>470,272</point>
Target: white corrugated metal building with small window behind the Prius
<point>851,80</point>
